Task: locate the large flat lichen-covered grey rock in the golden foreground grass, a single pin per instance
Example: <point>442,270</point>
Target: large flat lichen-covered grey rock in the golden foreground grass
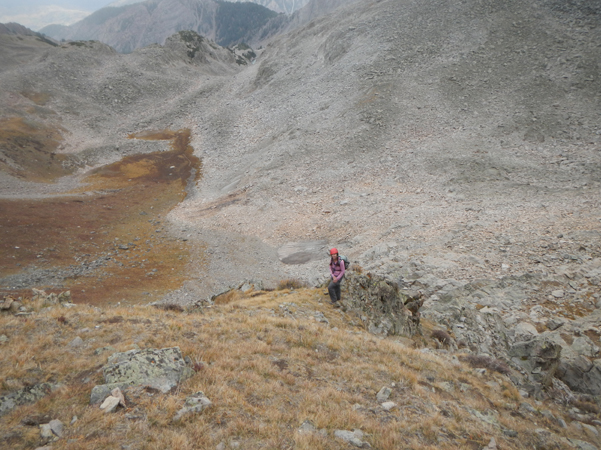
<point>160,369</point>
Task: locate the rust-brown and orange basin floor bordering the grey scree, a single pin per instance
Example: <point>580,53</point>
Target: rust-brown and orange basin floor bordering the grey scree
<point>107,242</point>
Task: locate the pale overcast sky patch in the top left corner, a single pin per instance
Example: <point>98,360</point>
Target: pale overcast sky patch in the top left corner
<point>36,14</point>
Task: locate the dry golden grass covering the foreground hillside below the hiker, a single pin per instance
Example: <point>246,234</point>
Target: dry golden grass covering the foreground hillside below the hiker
<point>266,369</point>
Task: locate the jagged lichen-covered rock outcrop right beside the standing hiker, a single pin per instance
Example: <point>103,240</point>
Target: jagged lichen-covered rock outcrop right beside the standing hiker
<point>379,304</point>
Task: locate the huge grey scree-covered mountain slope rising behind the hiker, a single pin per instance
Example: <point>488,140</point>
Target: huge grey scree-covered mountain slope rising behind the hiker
<point>396,129</point>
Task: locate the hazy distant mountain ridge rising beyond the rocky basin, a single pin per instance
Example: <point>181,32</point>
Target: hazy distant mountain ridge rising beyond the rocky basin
<point>136,25</point>
